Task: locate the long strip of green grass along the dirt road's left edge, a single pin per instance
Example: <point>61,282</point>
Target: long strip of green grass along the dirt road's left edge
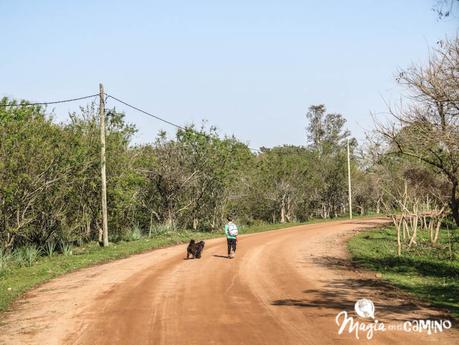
<point>16,279</point>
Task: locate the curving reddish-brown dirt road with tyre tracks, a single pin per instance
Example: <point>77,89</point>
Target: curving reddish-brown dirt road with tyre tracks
<point>283,287</point>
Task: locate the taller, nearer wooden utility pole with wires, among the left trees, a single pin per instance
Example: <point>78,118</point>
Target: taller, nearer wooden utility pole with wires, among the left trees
<point>102,165</point>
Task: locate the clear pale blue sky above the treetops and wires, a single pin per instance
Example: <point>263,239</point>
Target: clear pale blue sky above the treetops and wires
<point>252,68</point>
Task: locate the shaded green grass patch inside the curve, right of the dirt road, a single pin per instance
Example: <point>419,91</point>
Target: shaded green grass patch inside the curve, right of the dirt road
<point>431,273</point>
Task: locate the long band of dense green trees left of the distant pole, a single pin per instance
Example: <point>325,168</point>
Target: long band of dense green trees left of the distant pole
<point>50,180</point>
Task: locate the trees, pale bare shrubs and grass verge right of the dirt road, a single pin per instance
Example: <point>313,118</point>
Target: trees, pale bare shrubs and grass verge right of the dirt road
<point>414,155</point>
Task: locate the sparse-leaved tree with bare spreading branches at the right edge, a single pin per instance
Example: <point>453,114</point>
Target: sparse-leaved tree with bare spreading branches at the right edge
<point>427,129</point>
